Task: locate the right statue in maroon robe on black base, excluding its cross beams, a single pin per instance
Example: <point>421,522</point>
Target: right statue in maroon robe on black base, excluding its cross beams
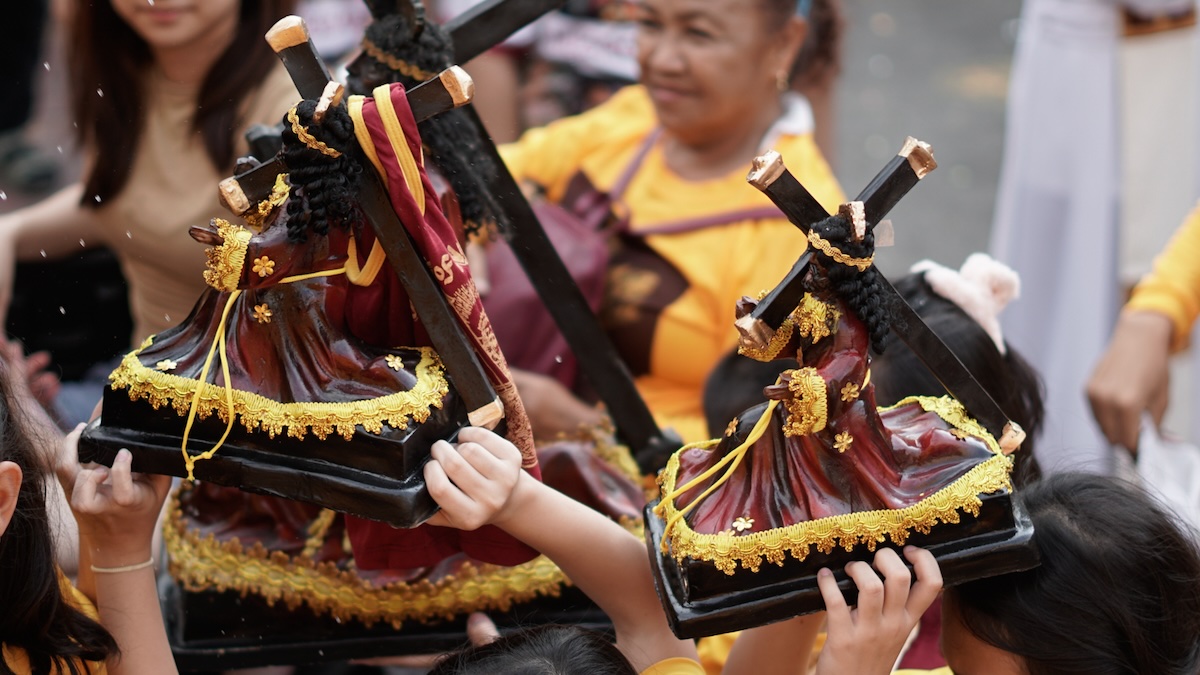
<point>819,475</point>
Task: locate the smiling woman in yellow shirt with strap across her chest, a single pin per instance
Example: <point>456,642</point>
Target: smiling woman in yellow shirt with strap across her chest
<point>677,148</point>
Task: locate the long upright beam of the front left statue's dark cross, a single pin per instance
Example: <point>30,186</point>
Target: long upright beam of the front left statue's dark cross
<point>291,38</point>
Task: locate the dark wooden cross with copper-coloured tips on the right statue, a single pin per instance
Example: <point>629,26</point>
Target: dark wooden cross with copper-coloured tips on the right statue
<point>907,170</point>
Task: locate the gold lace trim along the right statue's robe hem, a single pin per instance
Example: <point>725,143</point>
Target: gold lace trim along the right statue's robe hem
<point>728,553</point>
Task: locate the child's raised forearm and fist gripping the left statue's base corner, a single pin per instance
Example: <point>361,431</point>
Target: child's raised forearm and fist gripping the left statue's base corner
<point>482,482</point>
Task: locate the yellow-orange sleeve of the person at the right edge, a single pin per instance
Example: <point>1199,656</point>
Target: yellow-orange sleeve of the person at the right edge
<point>1173,288</point>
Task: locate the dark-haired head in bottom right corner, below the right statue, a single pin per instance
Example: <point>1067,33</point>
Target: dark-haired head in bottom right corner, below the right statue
<point>1117,593</point>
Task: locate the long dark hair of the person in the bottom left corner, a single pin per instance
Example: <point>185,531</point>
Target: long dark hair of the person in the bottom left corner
<point>37,617</point>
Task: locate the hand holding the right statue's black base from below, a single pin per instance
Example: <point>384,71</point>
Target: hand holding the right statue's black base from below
<point>868,640</point>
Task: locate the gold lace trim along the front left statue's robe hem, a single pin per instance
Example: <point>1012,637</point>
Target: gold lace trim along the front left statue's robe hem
<point>260,413</point>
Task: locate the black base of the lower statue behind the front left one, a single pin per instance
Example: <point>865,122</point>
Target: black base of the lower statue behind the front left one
<point>219,631</point>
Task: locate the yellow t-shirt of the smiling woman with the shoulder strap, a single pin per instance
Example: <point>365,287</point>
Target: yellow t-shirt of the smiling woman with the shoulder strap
<point>719,264</point>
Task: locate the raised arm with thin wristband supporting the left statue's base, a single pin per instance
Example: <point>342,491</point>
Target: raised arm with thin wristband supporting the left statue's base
<point>117,513</point>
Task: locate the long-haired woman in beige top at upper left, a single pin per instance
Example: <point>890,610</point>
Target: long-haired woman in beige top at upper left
<point>163,93</point>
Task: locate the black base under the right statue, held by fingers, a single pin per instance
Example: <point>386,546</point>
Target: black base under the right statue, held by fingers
<point>703,601</point>
